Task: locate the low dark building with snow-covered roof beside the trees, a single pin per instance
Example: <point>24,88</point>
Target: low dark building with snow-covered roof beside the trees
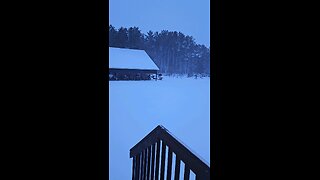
<point>131,64</point>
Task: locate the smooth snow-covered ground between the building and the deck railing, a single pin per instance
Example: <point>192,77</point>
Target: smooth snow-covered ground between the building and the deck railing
<point>182,105</point>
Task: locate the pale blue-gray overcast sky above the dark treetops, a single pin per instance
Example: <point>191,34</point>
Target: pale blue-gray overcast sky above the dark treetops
<point>191,17</point>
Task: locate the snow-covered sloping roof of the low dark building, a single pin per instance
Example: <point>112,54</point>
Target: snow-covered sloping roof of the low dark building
<point>121,58</point>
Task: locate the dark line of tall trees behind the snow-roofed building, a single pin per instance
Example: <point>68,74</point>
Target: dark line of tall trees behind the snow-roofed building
<point>172,51</point>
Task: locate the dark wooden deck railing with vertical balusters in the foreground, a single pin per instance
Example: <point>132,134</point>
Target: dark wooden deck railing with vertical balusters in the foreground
<point>148,162</point>
